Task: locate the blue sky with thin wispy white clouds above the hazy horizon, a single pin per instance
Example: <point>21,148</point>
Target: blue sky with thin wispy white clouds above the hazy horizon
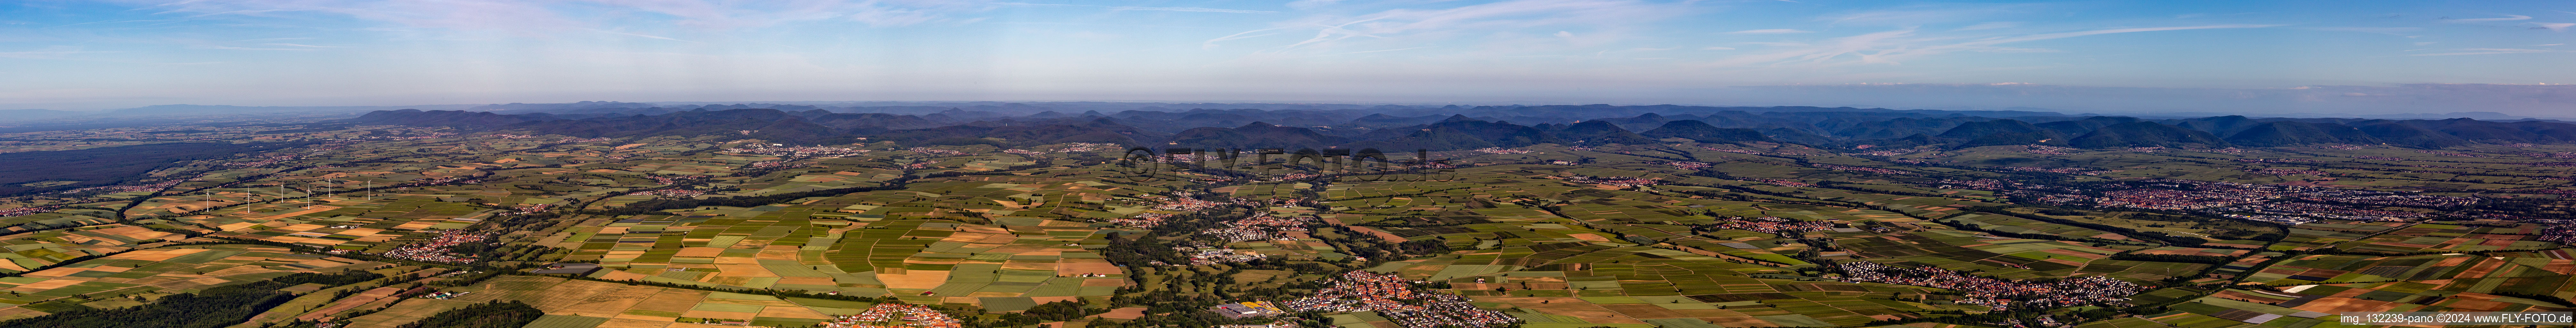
<point>2080,56</point>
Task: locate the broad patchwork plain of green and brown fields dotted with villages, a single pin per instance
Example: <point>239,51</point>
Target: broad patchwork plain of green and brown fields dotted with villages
<point>735,231</point>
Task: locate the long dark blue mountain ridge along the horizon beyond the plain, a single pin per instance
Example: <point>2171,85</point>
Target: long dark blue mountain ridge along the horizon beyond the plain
<point>1470,128</point>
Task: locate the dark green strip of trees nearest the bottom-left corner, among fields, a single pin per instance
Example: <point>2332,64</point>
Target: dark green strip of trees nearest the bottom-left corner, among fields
<point>210,309</point>
